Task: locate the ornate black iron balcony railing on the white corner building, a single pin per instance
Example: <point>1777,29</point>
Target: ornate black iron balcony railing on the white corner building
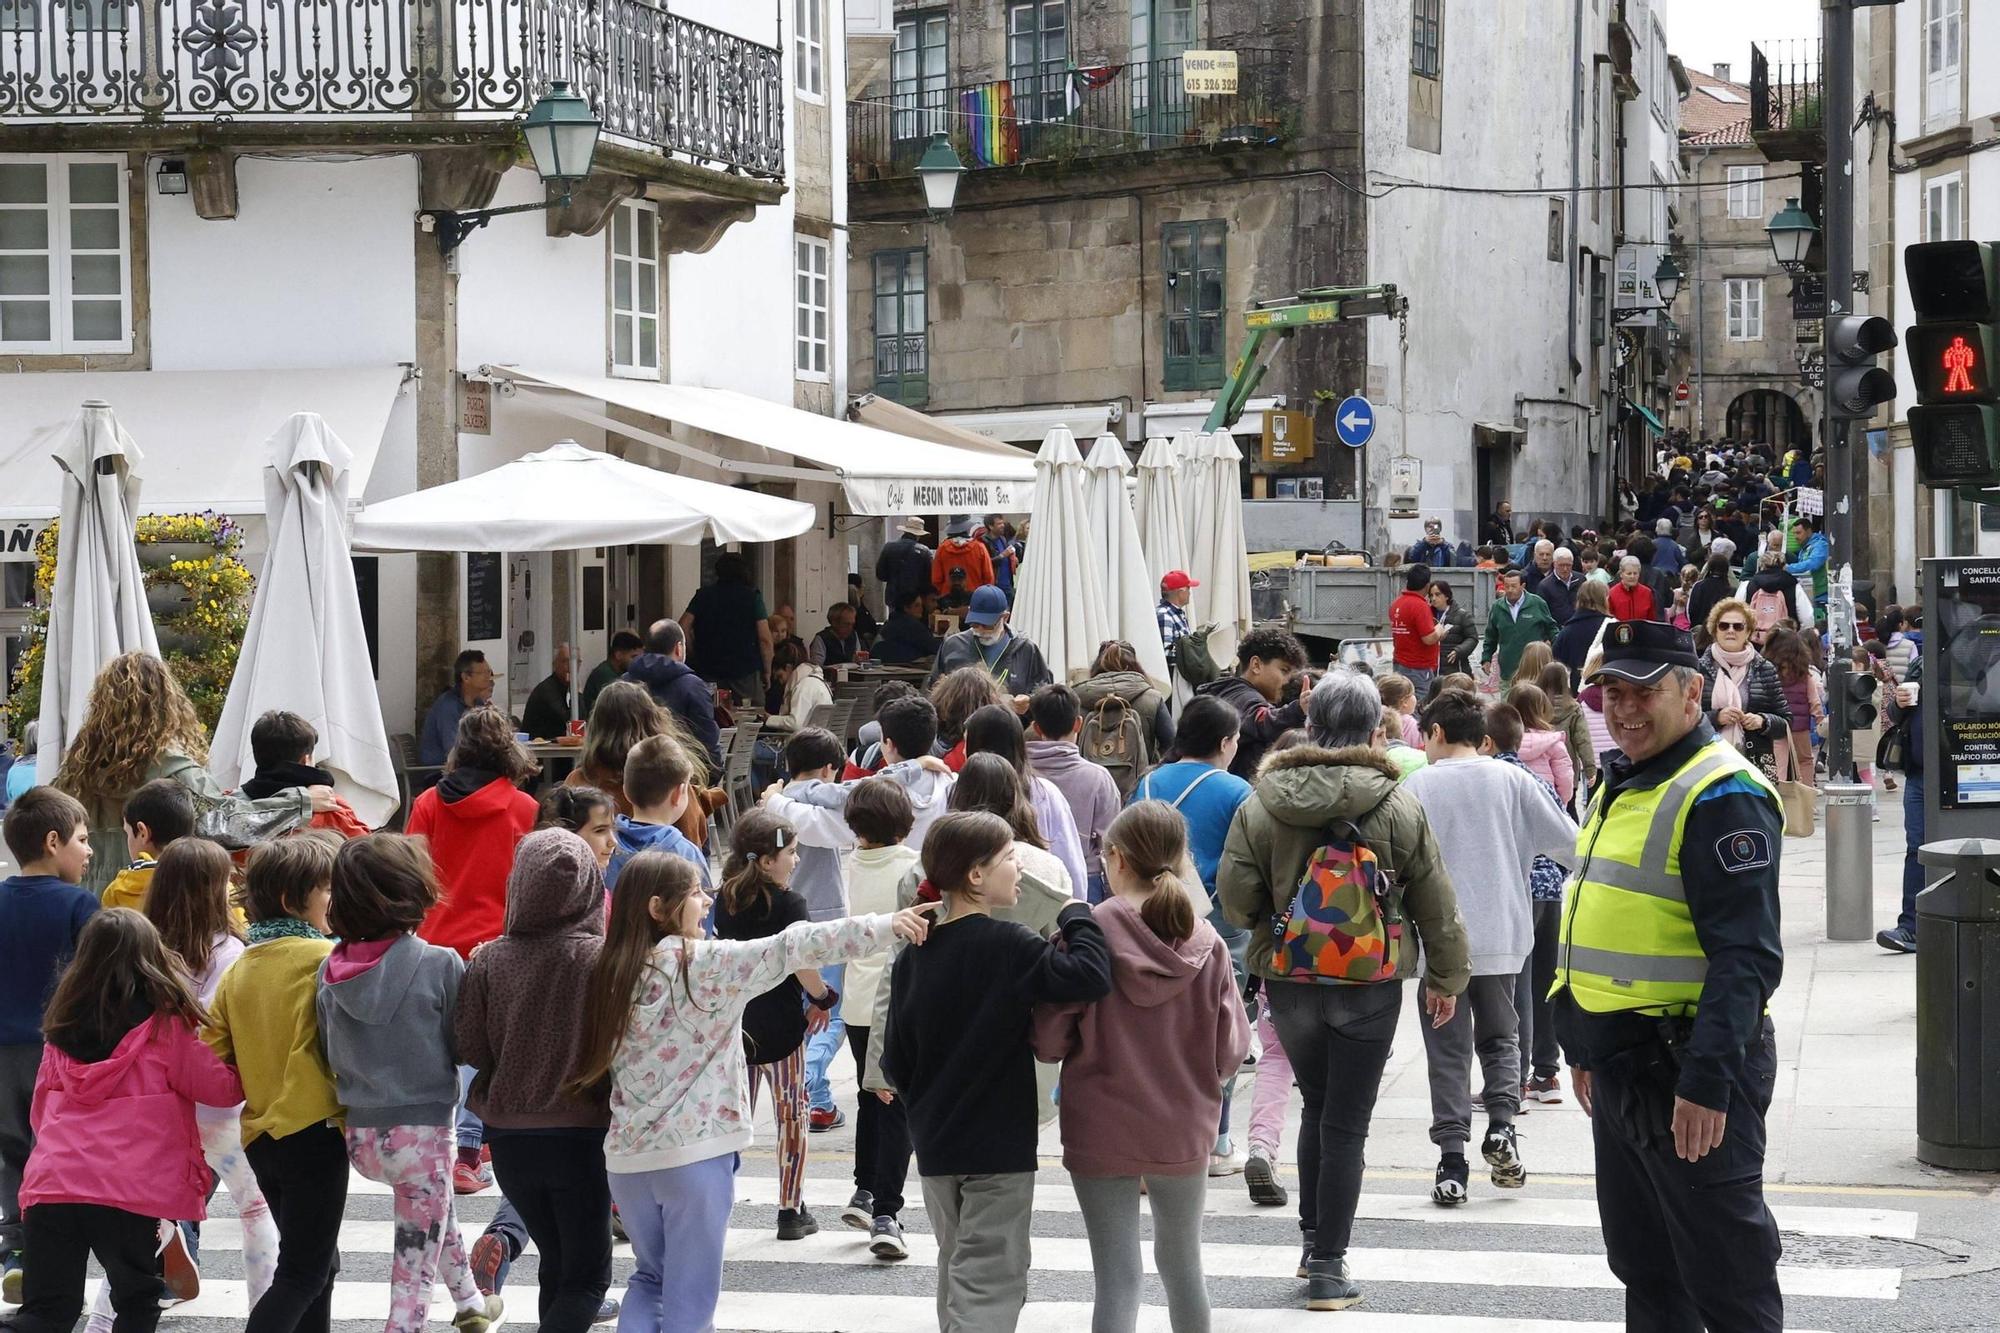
<point>659,81</point>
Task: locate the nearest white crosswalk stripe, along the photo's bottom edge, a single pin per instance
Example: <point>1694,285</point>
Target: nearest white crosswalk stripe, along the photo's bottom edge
<point>781,1312</point>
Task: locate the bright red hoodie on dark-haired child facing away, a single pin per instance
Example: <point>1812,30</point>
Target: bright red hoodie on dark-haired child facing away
<point>473,846</point>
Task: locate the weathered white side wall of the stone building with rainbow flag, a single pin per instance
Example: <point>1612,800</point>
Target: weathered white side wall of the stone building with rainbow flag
<point>1475,267</point>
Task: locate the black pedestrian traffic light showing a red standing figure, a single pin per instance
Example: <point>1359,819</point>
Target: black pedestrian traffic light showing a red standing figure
<point>1955,425</point>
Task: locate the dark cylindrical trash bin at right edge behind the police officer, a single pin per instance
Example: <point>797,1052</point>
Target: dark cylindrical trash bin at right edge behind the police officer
<point>1959,1008</point>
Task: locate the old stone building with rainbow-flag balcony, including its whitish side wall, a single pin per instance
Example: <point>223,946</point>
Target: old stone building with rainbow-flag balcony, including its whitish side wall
<point>1113,231</point>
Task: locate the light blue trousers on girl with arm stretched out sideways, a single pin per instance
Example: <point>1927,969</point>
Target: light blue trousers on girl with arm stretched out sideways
<point>677,1222</point>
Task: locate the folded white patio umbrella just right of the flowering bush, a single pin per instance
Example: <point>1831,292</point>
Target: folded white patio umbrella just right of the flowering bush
<point>305,649</point>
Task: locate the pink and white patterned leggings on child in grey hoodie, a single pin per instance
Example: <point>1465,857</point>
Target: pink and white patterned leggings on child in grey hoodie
<point>417,1164</point>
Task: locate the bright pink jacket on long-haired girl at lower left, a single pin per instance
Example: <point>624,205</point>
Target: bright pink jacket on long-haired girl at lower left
<point>121,1132</point>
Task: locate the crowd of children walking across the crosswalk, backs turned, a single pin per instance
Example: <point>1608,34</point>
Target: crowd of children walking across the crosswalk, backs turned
<point>551,998</point>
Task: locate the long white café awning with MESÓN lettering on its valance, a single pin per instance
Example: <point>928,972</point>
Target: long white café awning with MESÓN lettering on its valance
<point>879,471</point>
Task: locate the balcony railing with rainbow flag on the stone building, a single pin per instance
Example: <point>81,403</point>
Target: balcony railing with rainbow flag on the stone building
<point>1067,115</point>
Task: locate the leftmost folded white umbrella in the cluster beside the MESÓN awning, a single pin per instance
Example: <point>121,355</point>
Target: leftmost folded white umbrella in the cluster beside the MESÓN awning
<point>1059,595</point>
